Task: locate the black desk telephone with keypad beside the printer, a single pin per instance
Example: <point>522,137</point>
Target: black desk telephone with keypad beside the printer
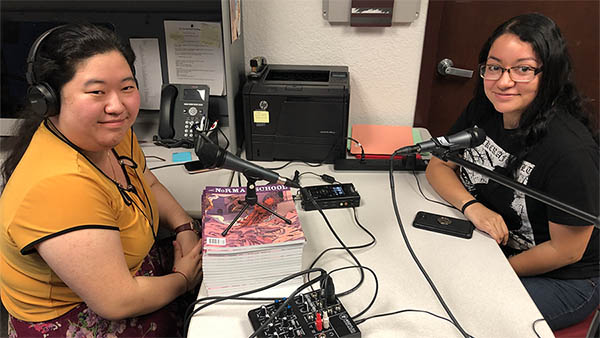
<point>183,114</point>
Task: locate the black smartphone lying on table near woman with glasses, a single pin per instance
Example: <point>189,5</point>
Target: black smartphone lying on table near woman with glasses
<point>443,224</point>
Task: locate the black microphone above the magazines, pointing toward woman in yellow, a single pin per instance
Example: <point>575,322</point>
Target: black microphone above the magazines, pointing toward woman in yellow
<point>211,155</point>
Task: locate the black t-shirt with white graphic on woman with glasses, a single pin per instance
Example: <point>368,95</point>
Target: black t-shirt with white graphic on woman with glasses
<point>563,165</point>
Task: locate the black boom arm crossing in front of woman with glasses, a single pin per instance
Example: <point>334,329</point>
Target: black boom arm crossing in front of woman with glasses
<point>453,157</point>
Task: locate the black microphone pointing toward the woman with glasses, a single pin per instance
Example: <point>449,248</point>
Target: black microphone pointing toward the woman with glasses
<point>467,138</point>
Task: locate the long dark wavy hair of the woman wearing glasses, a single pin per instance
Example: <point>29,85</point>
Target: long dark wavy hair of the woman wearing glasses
<point>557,93</point>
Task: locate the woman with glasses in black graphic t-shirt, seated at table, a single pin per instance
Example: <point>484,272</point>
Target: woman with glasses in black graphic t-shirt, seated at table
<point>539,135</point>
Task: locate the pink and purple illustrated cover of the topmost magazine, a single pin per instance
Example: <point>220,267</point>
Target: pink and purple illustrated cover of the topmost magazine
<point>256,227</point>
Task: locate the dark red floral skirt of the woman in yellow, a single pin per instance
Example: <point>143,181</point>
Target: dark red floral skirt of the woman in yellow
<point>83,322</point>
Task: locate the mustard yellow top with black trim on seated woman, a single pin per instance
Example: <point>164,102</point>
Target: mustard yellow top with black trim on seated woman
<point>53,190</point>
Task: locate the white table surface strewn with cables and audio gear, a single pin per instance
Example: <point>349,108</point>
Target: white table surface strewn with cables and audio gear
<point>473,276</point>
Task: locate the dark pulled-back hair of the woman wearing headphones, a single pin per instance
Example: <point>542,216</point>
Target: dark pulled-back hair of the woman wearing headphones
<point>56,62</point>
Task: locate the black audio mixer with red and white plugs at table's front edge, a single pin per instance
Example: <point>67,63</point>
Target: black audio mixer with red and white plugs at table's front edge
<point>308,315</point>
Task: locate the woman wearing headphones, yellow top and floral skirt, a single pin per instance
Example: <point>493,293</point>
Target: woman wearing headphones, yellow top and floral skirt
<point>80,209</point>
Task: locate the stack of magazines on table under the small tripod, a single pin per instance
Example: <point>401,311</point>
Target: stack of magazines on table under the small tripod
<point>259,248</point>
